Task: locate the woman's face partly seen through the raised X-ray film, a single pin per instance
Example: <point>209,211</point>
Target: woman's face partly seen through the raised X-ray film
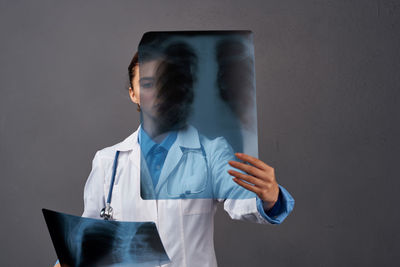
<point>144,91</point>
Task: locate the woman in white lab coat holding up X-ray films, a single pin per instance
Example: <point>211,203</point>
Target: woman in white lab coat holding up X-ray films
<point>185,223</point>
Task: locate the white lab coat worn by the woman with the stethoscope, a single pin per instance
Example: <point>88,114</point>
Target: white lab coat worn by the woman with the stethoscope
<point>186,226</point>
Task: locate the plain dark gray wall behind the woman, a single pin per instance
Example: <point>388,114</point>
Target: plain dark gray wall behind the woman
<point>328,75</point>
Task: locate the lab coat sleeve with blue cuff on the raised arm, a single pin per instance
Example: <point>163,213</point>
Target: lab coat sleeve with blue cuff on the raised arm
<point>240,203</point>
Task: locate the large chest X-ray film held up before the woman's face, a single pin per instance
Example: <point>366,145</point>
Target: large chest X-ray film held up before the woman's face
<point>198,107</point>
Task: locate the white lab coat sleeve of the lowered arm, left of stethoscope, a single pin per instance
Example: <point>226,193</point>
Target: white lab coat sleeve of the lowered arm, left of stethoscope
<point>93,195</point>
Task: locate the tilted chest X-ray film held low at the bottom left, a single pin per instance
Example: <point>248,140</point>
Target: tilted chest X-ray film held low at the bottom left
<point>82,242</point>
